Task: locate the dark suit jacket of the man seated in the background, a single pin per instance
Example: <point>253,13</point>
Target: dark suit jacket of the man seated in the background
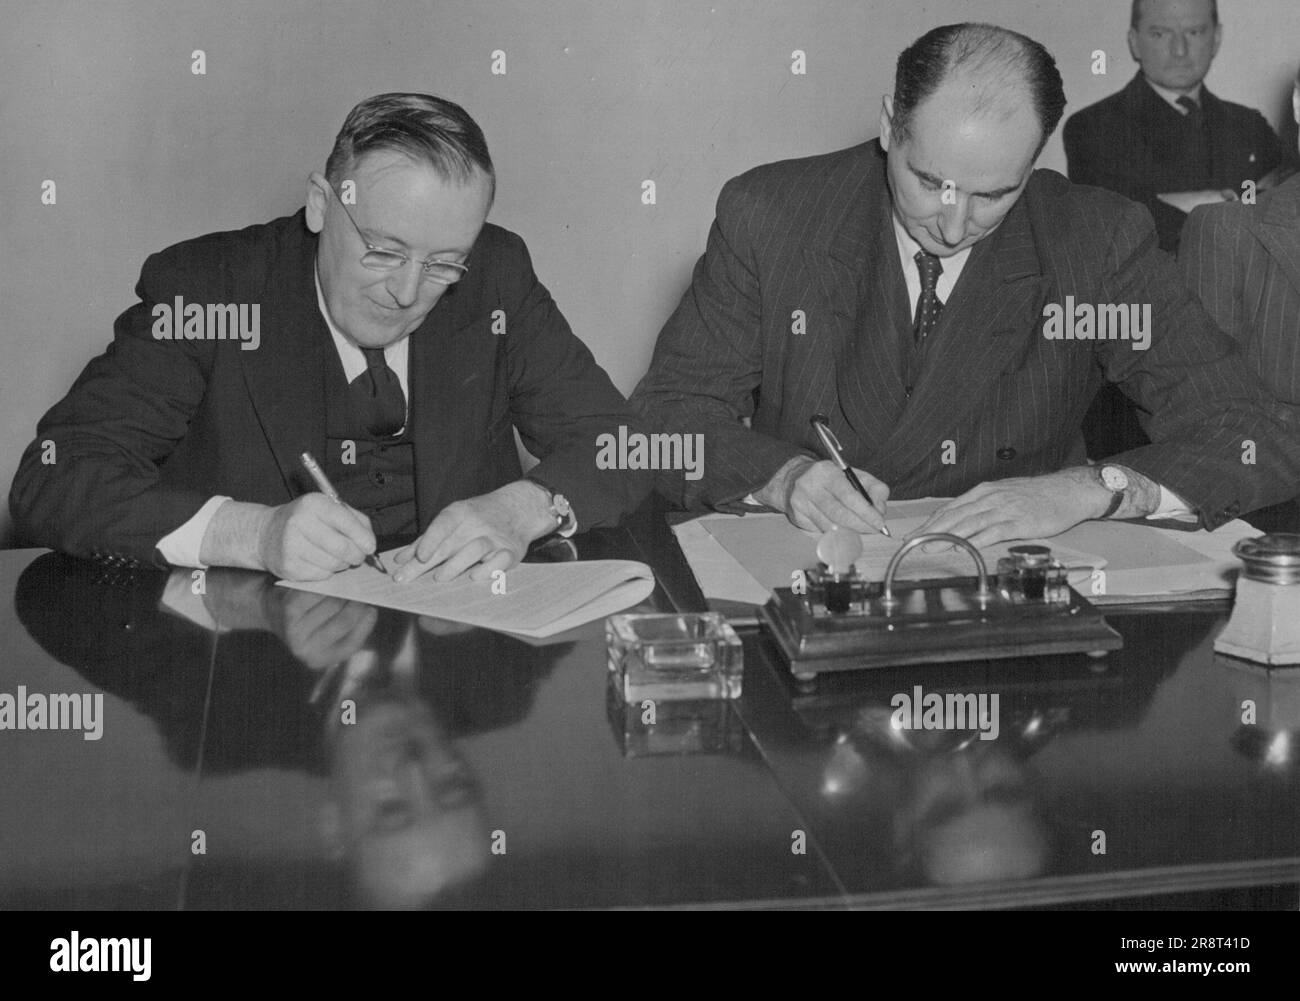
<point>1123,144</point>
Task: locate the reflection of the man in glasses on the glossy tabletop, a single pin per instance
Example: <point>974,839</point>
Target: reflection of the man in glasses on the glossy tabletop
<point>372,699</point>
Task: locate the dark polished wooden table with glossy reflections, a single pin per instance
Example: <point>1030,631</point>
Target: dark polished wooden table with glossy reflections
<point>480,772</point>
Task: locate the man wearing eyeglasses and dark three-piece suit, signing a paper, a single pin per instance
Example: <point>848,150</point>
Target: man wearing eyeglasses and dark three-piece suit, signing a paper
<point>401,340</point>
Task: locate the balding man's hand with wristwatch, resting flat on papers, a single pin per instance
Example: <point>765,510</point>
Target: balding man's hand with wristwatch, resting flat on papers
<point>1037,506</point>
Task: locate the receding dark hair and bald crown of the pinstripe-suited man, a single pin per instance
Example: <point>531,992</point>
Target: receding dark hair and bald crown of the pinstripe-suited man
<point>991,55</point>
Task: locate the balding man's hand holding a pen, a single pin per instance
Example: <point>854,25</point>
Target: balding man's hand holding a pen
<point>816,496</point>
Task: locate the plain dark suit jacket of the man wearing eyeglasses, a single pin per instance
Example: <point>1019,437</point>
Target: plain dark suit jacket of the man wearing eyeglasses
<point>154,428</point>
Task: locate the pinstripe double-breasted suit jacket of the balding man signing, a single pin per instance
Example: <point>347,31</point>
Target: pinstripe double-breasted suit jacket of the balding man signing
<point>814,236</point>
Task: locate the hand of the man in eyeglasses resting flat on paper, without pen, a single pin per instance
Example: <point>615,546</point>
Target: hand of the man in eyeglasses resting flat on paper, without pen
<point>480,535</point>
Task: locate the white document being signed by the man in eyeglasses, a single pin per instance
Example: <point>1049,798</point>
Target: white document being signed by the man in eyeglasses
<point>540,600</point>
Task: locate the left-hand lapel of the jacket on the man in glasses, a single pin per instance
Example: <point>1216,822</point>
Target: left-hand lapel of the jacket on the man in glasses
<point>284,375</point>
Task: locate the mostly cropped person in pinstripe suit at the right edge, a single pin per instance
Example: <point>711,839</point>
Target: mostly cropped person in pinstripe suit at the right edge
<point>1243,261</point>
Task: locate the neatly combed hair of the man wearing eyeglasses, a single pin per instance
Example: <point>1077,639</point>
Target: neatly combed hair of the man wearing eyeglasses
<point>428,129</point>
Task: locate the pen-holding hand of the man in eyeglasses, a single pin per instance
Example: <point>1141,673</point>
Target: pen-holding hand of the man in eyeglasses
<point>309,539</point>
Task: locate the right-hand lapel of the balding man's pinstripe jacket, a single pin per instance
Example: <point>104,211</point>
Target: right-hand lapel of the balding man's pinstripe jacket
<point>991,318</point>
